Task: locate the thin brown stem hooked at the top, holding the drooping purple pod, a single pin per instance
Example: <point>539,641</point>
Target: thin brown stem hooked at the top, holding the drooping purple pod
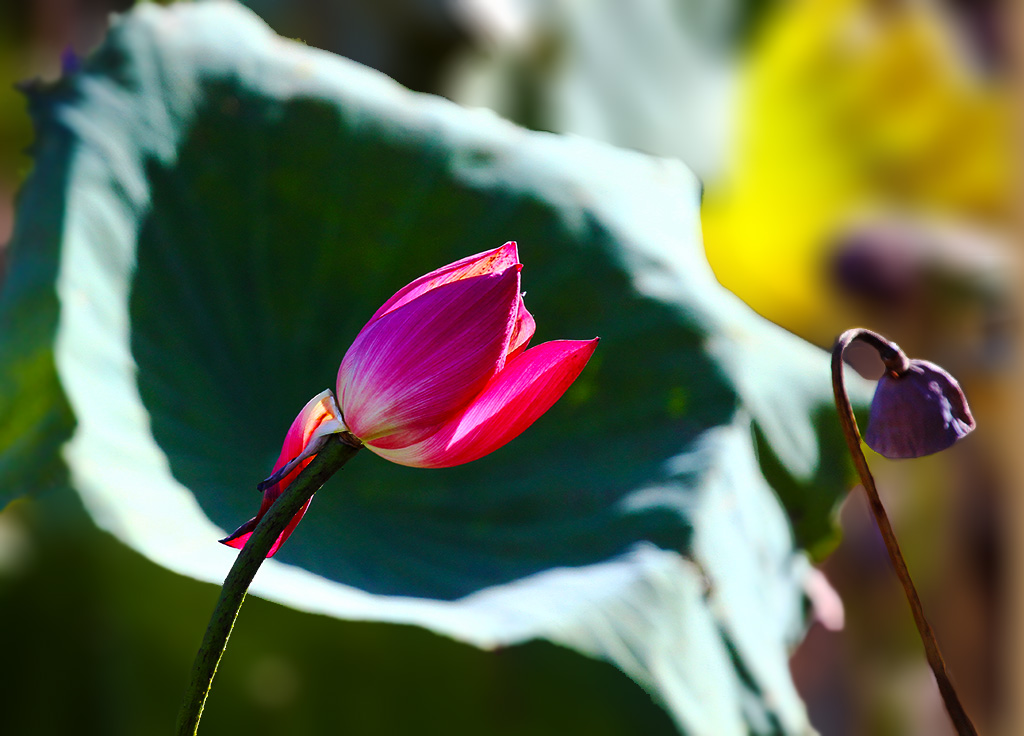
<point>897,362</point>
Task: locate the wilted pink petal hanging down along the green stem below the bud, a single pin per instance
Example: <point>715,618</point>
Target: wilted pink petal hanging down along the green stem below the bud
<point>320,417</point>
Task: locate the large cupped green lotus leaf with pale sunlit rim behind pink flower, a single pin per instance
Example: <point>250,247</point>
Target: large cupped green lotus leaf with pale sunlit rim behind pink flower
<point>214,215</point>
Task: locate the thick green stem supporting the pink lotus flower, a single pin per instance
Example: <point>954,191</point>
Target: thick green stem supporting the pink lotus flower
<point>335,454</point>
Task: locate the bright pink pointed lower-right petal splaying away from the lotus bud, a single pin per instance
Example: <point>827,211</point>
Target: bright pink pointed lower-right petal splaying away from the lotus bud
<point>511,403</point>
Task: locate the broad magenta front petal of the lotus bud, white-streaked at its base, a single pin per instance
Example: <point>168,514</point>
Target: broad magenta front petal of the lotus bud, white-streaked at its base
<point>421,364</point>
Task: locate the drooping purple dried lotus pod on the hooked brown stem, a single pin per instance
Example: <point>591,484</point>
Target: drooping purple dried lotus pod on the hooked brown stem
<point>917,413</point>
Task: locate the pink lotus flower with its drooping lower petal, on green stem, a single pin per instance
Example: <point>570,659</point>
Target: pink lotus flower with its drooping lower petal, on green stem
<point>439,377</point>
